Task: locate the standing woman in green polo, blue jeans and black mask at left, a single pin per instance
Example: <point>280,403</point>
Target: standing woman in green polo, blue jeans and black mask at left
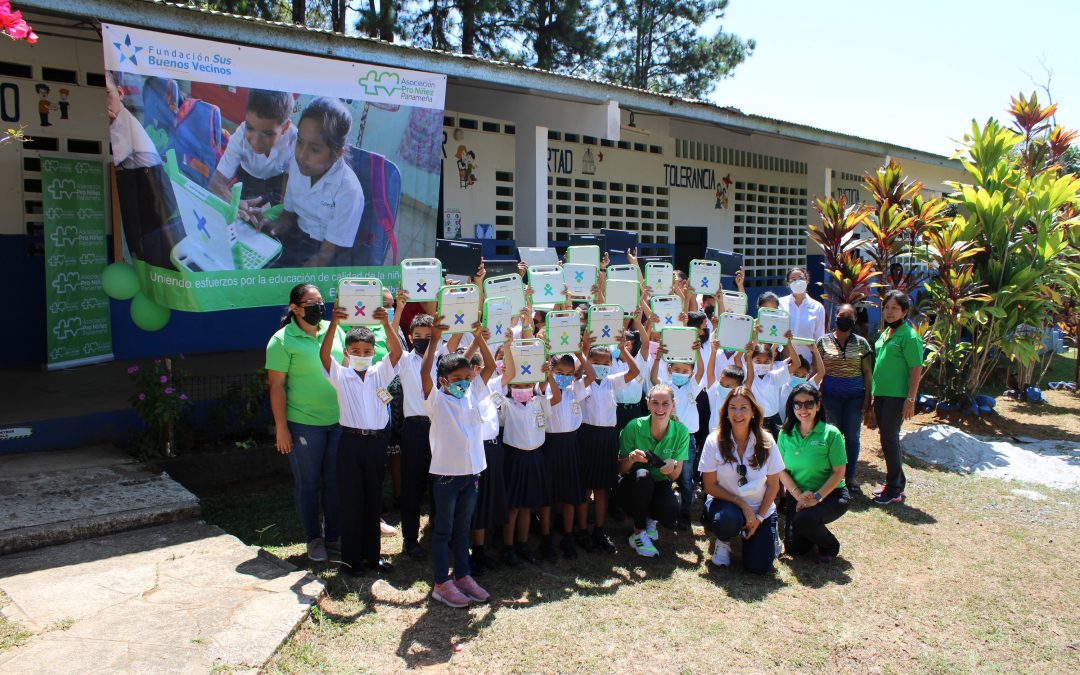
<point>306,416</point>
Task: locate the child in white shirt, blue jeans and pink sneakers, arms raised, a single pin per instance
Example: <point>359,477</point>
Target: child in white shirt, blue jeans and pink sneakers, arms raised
<point>457,461</point>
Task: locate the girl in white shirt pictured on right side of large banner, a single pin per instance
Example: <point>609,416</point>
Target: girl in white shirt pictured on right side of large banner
<point>323,198</point>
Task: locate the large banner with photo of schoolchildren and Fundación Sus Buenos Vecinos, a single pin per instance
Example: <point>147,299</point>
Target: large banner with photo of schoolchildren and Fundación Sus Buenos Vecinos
<point>242,172</point>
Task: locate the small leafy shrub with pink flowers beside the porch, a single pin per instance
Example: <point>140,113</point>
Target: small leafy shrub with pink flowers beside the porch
<point>160,402</point>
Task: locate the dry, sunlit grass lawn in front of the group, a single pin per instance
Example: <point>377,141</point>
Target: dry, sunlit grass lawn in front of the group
<point>967,576</point>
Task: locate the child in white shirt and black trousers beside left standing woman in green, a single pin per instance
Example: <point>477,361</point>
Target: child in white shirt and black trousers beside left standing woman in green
<point>363,401</point>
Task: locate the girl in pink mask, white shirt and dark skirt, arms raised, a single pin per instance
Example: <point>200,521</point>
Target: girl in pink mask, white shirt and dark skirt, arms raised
<point>526,475</point>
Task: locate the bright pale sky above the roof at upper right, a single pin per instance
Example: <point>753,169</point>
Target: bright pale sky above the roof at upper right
<point>913,73</point>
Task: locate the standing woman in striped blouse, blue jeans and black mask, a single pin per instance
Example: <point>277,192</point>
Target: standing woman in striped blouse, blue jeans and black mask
<point>846,389</point>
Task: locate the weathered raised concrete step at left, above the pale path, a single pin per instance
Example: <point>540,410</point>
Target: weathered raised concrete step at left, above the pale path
<point>51,498</point>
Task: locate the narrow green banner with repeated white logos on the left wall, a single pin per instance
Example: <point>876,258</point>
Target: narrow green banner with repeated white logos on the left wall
<point>78,318</point>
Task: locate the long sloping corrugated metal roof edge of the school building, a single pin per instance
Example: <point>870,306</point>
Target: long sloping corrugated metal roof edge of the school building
<point>187,20</point>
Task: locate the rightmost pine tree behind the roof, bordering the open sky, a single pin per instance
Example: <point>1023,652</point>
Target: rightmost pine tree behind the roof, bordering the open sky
<point>659,47</point>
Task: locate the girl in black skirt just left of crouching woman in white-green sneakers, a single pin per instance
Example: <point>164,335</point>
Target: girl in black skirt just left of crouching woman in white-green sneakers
<point>599,443</point>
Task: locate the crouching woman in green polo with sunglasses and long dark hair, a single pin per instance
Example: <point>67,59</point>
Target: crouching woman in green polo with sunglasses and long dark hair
<point>816,461</point>
